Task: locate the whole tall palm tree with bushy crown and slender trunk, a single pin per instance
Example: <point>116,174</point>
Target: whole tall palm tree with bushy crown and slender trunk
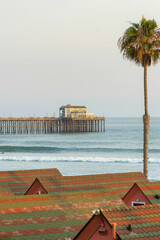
<point>141,44</point>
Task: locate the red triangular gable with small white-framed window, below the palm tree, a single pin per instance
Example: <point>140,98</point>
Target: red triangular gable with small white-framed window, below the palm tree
<point>135,196</point>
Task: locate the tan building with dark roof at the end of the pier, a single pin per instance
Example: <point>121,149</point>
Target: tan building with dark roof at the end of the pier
<point>69,111</point>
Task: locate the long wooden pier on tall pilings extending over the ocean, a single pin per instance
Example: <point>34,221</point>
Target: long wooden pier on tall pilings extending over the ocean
<point>49,125</point>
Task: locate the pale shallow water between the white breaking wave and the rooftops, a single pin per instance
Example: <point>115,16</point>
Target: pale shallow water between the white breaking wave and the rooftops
<point>83,168</point>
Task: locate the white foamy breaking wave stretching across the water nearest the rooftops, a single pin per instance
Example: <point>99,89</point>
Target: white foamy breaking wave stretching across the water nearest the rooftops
<point>75,159</point>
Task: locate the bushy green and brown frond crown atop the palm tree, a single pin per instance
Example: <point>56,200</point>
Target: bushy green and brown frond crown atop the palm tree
<point>141,42</point>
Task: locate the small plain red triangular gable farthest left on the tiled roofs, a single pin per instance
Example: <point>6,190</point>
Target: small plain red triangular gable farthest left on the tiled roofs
<point>36,188</point>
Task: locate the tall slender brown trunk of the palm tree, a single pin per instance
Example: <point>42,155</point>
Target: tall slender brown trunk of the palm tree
<point>146,120</point>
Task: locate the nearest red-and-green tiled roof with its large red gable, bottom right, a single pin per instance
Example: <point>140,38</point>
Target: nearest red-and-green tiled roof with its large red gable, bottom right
<point>138,223</point>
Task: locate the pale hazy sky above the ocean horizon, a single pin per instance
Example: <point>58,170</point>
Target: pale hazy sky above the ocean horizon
<point>58,52</point>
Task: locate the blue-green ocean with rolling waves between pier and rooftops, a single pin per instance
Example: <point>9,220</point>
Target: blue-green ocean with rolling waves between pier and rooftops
<point>118,149</point>
